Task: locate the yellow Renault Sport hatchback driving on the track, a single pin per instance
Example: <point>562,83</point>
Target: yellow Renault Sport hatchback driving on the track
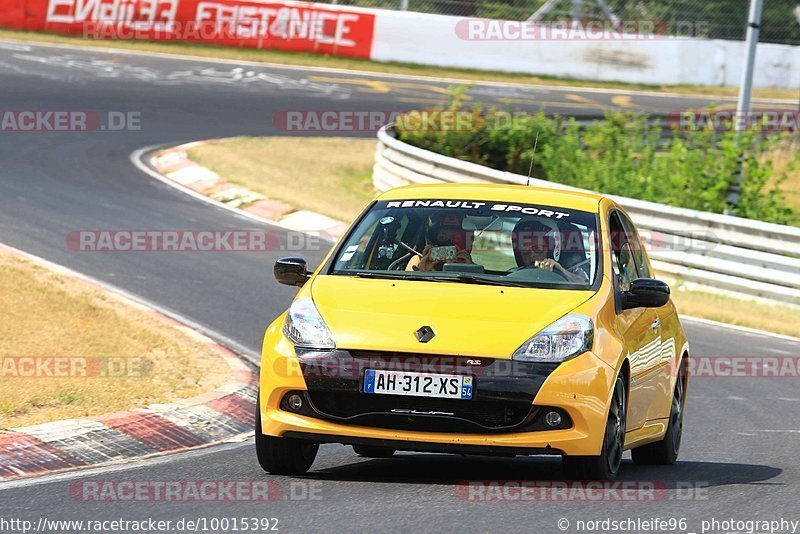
<point>477,319</point>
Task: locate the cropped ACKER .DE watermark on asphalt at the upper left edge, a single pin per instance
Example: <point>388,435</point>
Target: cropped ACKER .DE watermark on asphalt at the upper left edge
<point>43,120</point>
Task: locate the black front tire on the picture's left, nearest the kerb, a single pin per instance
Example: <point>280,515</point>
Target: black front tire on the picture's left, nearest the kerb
<point>283,456</point>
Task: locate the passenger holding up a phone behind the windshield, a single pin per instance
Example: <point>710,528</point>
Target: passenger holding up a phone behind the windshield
<point>443,230</point>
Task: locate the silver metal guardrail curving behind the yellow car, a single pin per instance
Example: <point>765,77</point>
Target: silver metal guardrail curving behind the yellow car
<point>721,252</point>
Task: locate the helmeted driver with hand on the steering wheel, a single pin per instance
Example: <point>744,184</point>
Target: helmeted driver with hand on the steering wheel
<point>533,243</point>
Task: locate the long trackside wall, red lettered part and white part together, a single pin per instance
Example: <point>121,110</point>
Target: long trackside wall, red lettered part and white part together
<point>635,54</point>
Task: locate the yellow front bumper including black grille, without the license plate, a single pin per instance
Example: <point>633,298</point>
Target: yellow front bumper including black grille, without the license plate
<point>580,387</point>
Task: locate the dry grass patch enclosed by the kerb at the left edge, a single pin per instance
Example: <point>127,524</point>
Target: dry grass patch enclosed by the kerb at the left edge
<point>45,315</point>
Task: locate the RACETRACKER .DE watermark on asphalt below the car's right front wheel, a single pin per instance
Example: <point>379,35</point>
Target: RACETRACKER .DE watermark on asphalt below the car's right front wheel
<point>645,491</point>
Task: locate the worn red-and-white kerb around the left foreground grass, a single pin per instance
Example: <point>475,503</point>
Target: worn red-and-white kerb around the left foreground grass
<point>222,414</point>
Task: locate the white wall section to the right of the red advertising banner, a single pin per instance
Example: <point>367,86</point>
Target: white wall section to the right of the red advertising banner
<point>446,41</point>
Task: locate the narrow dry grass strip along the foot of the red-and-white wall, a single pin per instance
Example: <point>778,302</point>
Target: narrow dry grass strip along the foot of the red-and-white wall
<point>315,60</point>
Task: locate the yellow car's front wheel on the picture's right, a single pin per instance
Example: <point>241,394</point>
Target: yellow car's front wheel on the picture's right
<point>606,465</point>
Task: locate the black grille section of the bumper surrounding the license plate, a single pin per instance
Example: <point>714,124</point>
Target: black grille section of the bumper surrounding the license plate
<point>502,400</point>
